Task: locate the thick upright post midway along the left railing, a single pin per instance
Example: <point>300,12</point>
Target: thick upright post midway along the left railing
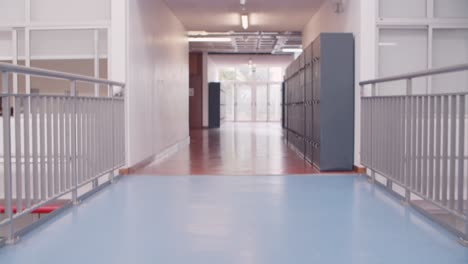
<point>74,175</point>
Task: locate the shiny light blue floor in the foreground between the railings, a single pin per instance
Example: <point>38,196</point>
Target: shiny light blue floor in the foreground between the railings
<point>219,220</point>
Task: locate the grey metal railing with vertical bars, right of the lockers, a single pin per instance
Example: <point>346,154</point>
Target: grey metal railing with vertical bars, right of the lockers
<point>419,142</point>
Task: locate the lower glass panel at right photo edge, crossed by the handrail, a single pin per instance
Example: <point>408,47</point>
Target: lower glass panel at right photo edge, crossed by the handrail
<point>450,47</point>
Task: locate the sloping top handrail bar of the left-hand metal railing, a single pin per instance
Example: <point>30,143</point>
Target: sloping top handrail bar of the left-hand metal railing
<point>6,67</point>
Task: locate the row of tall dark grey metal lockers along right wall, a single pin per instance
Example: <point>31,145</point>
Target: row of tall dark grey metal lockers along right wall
<point>320,102</point>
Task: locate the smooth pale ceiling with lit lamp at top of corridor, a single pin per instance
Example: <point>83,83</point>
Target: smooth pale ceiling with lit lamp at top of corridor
<point>224,15</point>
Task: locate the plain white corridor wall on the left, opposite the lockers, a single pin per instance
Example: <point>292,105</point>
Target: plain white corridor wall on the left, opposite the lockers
<point>157,83</point>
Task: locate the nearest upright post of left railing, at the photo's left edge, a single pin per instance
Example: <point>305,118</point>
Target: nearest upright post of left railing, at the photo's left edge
<point>6,112</point>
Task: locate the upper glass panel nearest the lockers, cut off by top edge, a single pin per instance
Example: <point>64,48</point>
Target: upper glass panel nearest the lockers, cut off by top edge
<point>403,8</point>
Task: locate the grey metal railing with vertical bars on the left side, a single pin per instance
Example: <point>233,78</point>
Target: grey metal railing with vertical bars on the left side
<point>53,145</point>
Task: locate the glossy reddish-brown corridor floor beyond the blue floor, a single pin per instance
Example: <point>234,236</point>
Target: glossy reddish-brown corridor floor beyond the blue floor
<point>234,149</point>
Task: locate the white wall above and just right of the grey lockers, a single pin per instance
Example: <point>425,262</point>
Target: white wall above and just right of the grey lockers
<point>327,20</point>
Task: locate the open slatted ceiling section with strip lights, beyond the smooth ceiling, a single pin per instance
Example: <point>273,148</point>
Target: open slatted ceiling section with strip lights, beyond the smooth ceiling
<point>262,42</point>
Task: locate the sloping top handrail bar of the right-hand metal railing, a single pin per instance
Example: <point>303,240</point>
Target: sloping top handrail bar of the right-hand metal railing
<point>437,71</point>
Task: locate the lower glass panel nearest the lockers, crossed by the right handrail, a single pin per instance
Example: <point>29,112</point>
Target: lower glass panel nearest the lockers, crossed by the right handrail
<point>402,51</point>
